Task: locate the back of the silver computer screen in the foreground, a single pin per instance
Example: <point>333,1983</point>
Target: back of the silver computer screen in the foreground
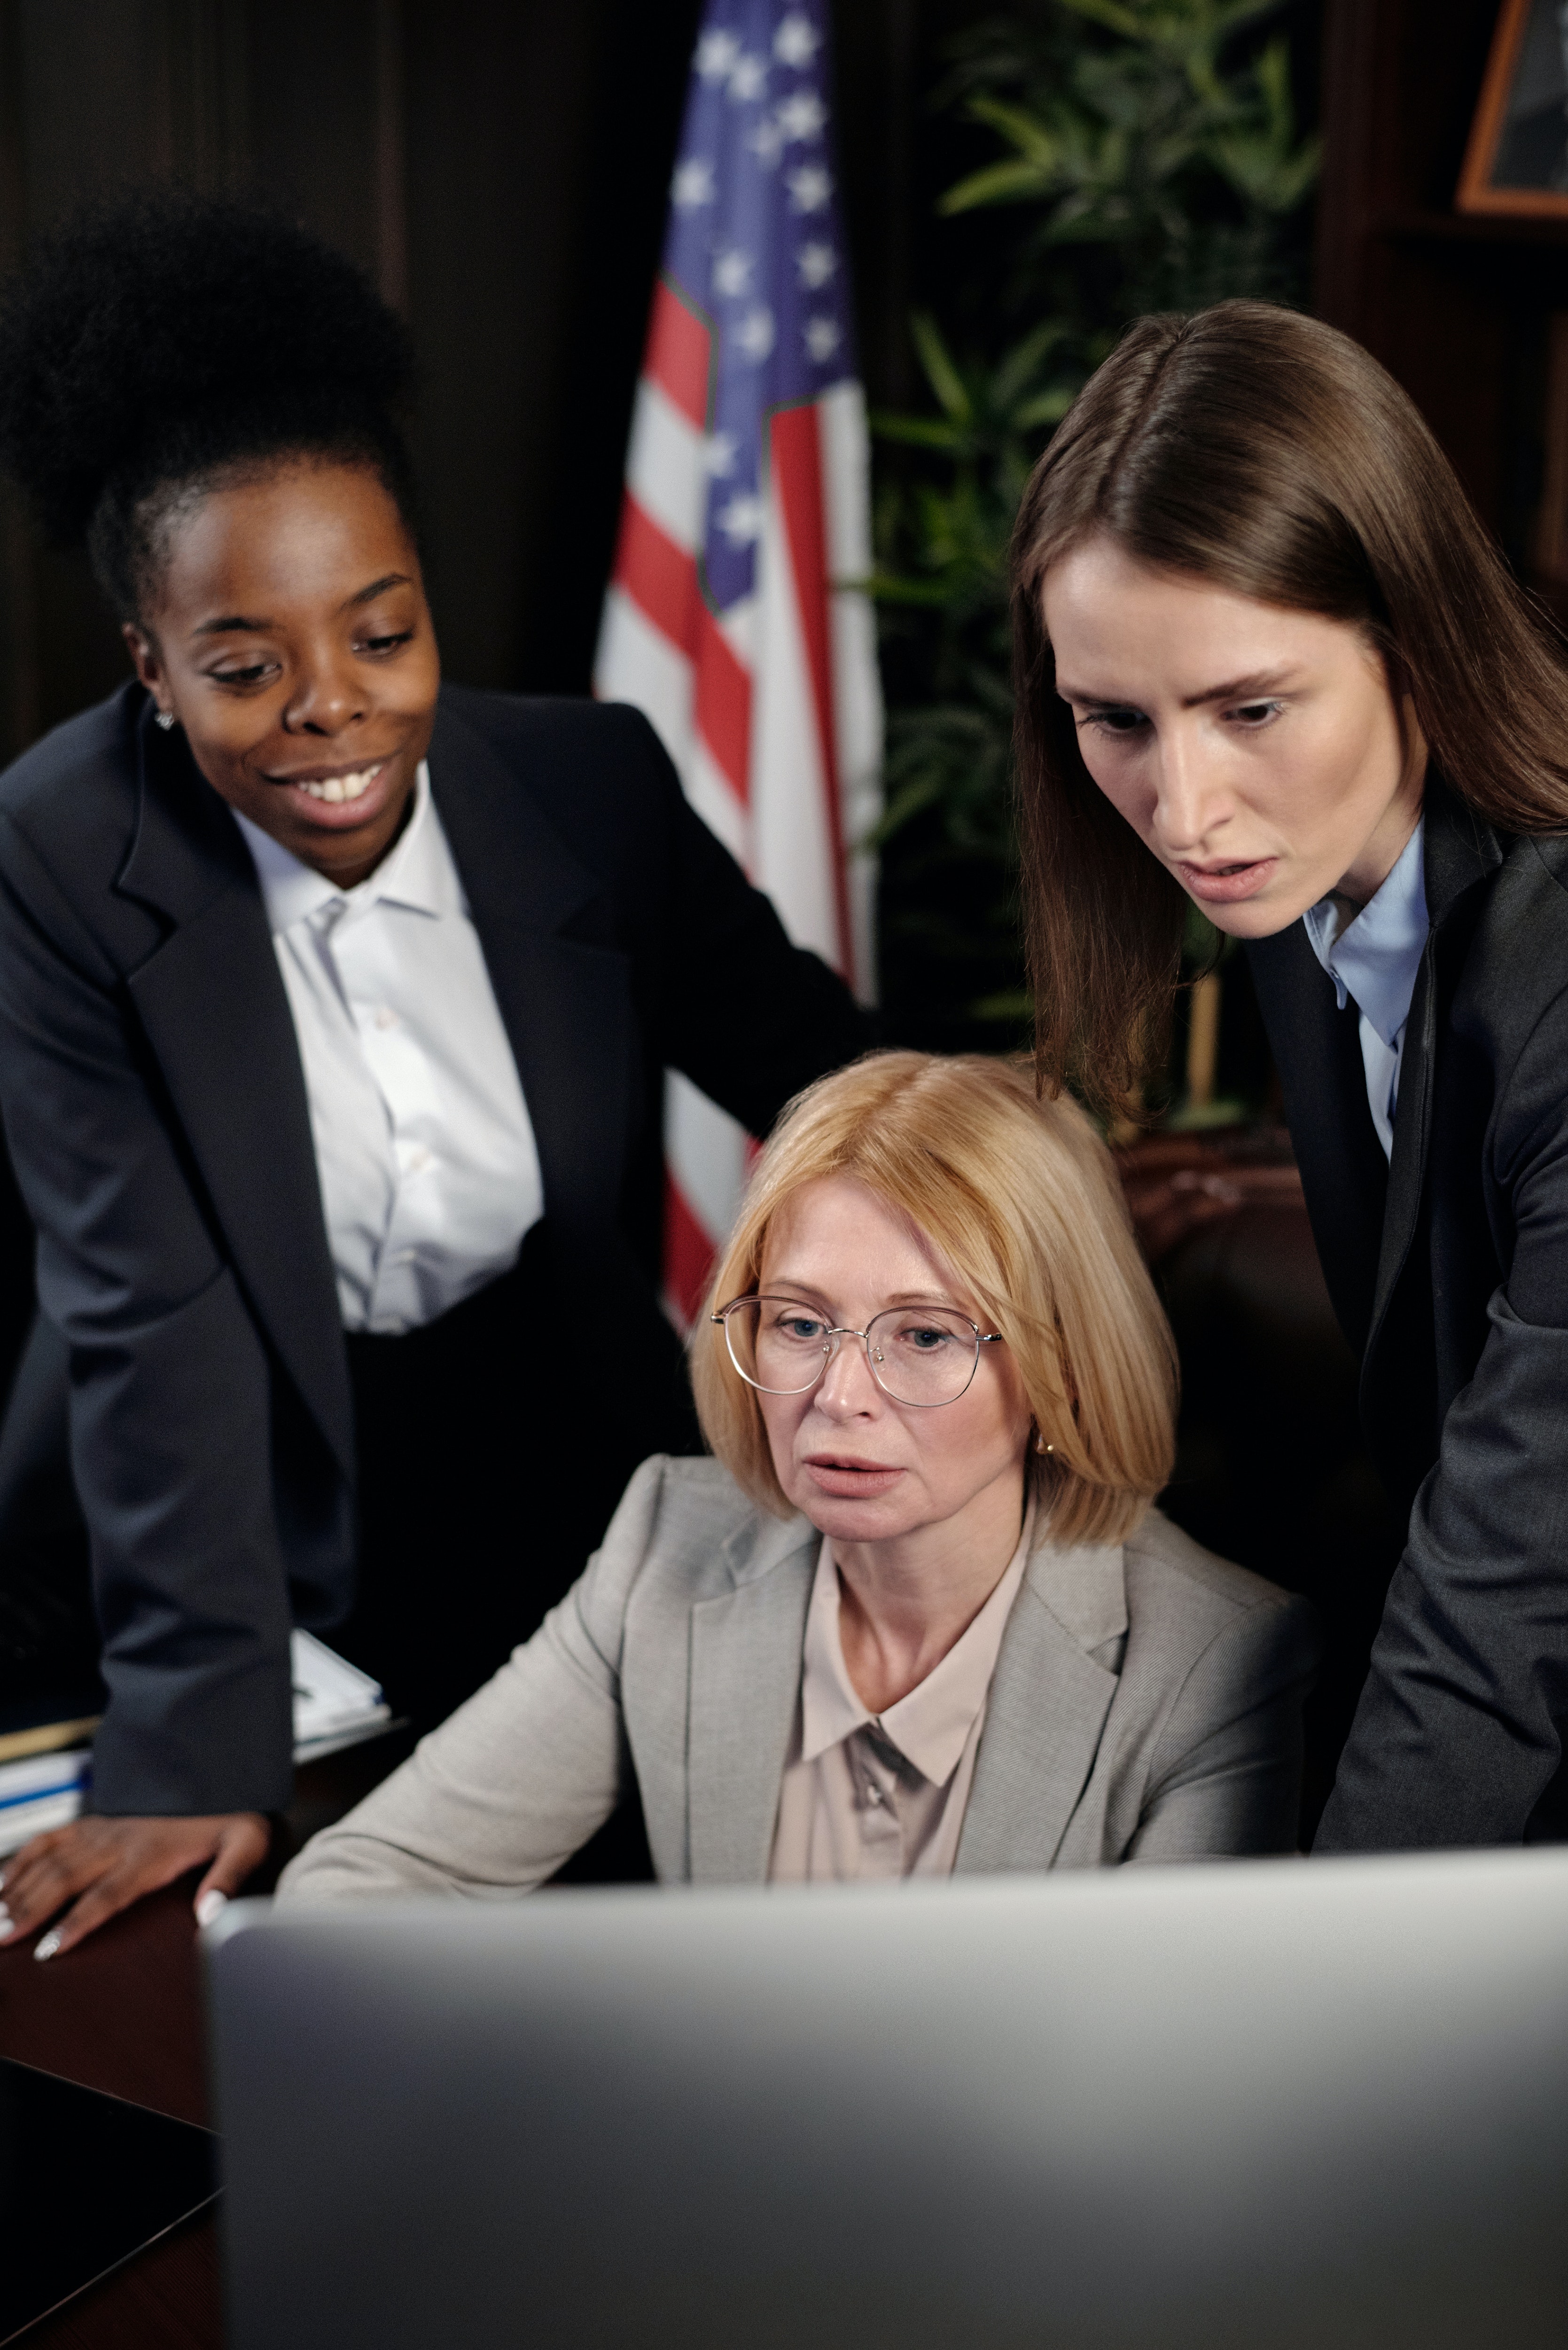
<point>1287,2107</point>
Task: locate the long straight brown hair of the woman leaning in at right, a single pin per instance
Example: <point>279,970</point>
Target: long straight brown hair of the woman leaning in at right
<point>1271,455</point>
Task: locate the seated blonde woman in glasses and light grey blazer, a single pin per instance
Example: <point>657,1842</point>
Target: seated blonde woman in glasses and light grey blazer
<point>918,1616</point>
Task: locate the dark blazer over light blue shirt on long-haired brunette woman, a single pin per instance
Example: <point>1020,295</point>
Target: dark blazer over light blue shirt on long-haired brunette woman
<point>1449,1273</point>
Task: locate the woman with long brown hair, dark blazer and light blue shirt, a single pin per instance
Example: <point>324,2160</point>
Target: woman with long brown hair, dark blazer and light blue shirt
<point>1271,664</point>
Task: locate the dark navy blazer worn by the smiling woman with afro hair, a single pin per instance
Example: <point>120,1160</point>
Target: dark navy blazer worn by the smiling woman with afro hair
<point>161,1136</point>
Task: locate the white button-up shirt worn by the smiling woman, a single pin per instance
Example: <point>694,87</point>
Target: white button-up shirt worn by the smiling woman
<point>422,1136</point>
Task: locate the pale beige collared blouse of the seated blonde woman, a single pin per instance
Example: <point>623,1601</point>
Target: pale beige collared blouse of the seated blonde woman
<point>885,1797</point>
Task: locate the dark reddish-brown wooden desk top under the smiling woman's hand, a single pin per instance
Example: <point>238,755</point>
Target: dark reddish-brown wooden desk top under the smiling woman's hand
<point>123,2013</point>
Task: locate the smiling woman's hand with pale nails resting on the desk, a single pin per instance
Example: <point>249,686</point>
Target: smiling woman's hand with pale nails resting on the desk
<point>100,1867</point>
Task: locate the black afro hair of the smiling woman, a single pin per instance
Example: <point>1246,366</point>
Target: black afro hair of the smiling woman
<point>168,340</point>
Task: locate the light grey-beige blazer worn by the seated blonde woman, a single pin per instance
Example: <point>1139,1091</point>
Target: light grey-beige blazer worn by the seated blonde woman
<point>1146,1707</point>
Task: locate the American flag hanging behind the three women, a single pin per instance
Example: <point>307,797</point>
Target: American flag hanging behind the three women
<point>735,612</point>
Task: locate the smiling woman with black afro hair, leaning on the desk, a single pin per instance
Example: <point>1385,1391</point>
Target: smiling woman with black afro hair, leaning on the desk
<point>333,1021</point>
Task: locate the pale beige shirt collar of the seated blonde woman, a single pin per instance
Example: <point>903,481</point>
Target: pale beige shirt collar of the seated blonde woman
<point>932,1724</point>
